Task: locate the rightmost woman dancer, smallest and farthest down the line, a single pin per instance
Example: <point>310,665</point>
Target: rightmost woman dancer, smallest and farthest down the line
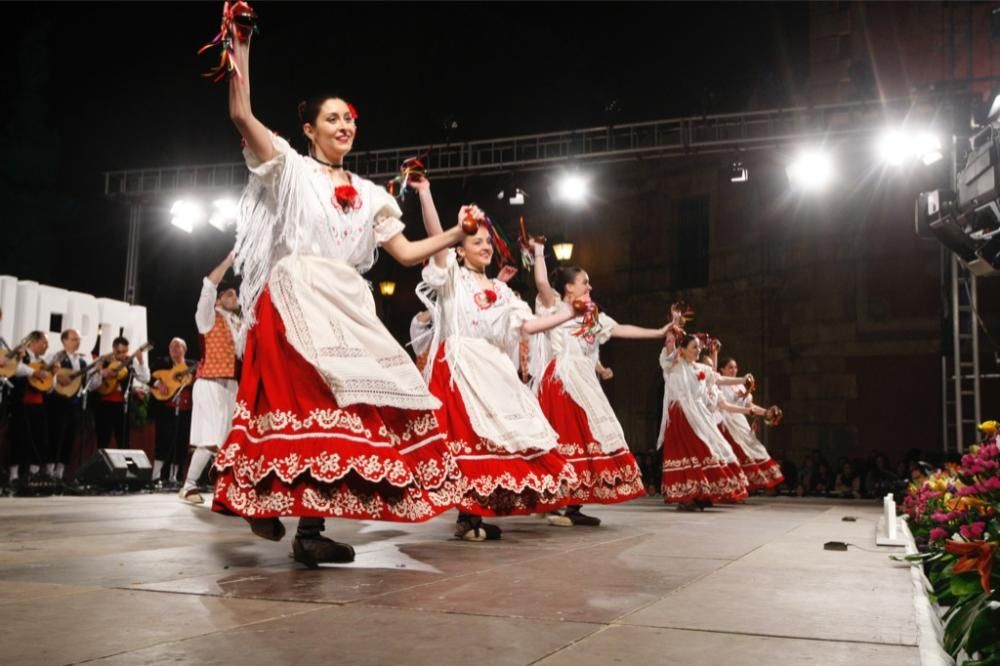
<point>761,471</point>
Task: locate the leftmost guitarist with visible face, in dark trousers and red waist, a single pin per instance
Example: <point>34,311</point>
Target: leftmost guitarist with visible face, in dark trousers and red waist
<point>31,434</point>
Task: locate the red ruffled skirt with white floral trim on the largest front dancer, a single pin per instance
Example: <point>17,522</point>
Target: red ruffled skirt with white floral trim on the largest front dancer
<point>293,451</point>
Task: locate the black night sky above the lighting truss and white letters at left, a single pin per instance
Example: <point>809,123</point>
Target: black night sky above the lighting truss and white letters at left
<point>96,86</point>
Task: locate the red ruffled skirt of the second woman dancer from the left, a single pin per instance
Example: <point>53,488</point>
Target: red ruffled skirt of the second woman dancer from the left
<point>497,482</point>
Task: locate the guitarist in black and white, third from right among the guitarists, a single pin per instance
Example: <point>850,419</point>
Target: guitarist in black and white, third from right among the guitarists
<point>65,412</point>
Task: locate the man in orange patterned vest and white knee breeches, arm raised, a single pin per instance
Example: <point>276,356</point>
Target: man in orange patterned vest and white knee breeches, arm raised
<point>214,394</point>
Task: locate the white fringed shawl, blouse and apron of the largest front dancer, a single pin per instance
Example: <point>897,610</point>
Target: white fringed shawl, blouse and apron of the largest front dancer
<point>292,237</point>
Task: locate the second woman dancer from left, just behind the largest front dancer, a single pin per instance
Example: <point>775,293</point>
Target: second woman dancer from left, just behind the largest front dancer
<point>501,441</point>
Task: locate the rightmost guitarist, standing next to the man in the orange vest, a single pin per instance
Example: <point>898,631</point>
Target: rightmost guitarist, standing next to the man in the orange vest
<point>173,415</point>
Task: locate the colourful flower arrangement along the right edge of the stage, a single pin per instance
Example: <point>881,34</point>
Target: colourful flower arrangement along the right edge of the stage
<point>954,515</point>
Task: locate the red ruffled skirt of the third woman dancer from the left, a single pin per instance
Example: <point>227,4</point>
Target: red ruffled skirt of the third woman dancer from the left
<point>605,478</point>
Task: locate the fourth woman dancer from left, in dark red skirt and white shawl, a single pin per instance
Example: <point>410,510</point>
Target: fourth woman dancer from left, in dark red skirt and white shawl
<point>699,467</point>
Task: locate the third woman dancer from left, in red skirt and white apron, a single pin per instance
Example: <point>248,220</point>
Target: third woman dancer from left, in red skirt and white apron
<point>570,394</point>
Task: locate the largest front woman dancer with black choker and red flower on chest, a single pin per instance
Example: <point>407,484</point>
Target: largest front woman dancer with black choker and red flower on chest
<point>332,417</point>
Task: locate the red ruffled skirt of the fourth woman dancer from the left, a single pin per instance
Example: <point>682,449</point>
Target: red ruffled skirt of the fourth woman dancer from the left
<point>691,471</point>
